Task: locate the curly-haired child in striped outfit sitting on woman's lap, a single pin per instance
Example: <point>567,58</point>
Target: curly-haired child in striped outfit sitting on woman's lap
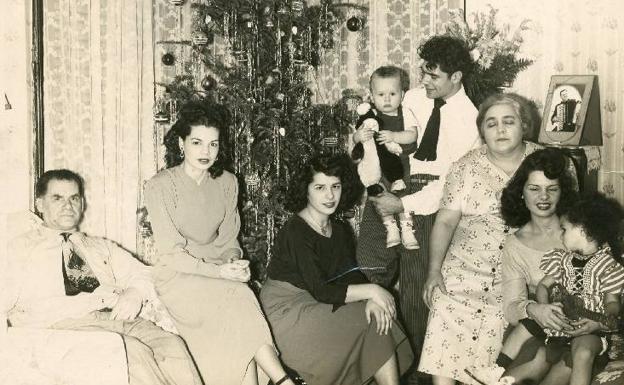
<point>591,269</point>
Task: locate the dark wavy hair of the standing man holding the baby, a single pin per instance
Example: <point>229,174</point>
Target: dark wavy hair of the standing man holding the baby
<point>448,53</point>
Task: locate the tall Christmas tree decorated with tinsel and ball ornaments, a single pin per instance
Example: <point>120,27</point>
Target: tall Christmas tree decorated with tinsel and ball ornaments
<point>267,50</point>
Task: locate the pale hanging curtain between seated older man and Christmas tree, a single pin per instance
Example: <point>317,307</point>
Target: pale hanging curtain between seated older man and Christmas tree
<point>98,102</point>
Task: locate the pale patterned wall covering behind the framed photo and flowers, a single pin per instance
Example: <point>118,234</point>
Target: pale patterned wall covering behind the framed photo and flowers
<point>577,37</point>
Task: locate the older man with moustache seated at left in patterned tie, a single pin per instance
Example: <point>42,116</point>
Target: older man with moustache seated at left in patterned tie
<point>64,279</point>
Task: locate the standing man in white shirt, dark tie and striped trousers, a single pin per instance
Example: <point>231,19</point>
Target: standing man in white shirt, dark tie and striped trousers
<point>446,122</point>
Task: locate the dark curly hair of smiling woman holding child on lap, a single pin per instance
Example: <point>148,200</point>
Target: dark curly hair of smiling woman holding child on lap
<point>555,165</point>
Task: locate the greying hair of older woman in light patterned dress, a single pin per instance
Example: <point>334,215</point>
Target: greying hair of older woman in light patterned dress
<point>521,105</point>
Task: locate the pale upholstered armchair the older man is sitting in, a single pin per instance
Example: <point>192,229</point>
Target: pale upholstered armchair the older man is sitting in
<point>32,356</point>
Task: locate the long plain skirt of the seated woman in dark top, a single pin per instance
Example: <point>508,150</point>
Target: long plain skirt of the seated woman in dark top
<point>325,347</point>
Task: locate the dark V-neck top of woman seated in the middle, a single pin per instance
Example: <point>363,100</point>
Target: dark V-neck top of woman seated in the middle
<point>312,262</point>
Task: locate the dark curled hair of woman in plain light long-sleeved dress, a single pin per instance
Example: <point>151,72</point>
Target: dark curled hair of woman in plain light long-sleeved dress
<point>198,113</point>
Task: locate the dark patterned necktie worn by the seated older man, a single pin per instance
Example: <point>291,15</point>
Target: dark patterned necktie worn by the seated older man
<point>77,275</point>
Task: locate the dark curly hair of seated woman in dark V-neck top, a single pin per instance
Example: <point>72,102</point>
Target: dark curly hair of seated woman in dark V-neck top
<point>339,165</point>
